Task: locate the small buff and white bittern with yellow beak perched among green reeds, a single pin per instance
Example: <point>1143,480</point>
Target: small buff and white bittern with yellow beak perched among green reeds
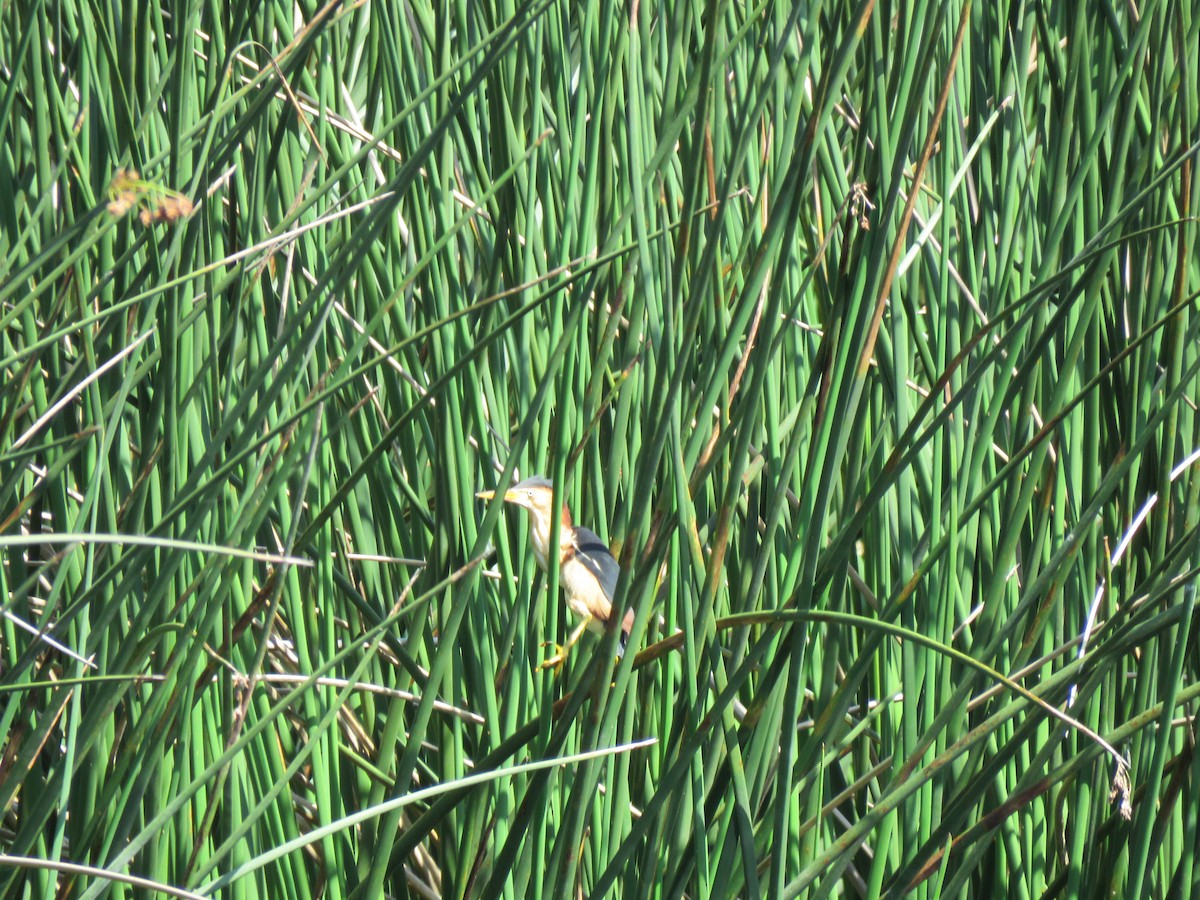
<point>587,569</point>
